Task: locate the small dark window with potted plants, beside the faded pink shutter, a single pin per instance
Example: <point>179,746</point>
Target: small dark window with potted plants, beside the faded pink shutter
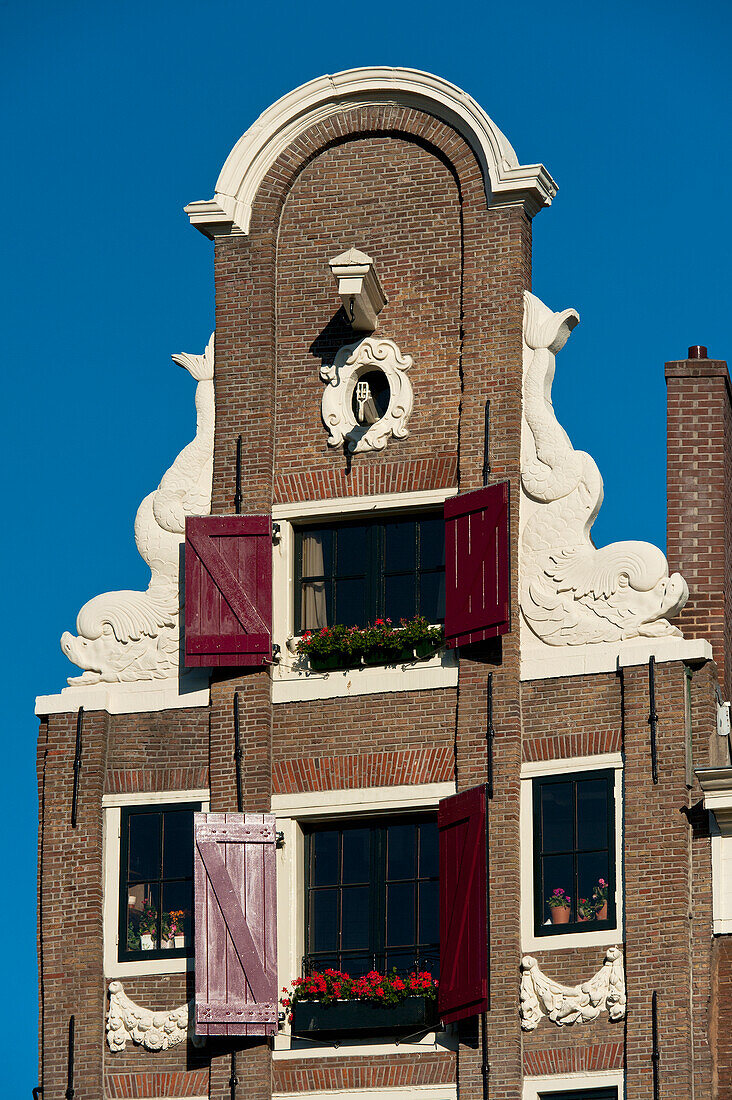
<point>156,911</point>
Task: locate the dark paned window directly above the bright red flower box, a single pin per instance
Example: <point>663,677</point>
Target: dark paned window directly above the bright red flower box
<point>373,897</point>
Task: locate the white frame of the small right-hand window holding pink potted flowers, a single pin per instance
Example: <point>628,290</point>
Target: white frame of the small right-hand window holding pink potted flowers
<point>529,773</point>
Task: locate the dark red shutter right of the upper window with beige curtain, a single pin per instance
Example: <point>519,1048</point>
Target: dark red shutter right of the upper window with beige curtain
<point>477,566</point>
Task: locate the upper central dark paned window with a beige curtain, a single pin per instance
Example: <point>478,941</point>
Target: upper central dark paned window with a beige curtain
<point>356,573</point>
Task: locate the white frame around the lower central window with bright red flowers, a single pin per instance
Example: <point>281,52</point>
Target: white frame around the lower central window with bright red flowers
<point>292,812</point>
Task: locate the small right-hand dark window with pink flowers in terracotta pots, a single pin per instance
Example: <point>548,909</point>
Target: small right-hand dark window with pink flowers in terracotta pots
<point>574,853</point>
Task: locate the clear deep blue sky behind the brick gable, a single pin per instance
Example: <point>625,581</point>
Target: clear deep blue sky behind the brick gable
<point>117,116</point>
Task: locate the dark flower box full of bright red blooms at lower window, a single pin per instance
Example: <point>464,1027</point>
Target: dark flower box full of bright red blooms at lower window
<point>332,1003</point>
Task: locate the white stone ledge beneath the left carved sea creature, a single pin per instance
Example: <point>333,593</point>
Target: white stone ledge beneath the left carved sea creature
<point>130,698</point>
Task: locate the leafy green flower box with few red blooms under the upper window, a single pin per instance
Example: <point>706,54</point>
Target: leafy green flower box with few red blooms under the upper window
<point>342,647</point>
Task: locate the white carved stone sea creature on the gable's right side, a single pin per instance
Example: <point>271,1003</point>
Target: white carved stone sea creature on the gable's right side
<point>573,592</point>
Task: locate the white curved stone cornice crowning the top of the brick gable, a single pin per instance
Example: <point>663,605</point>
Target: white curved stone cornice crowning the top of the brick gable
<point>506,180</point>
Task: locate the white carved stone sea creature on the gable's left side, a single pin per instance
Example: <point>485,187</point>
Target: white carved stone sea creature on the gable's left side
<point>127,636</point>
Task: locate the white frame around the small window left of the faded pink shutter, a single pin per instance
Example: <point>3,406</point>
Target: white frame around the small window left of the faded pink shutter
<point>112,838</point>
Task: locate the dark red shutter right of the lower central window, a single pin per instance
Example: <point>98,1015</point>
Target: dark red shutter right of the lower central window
<point>463,906</point>
